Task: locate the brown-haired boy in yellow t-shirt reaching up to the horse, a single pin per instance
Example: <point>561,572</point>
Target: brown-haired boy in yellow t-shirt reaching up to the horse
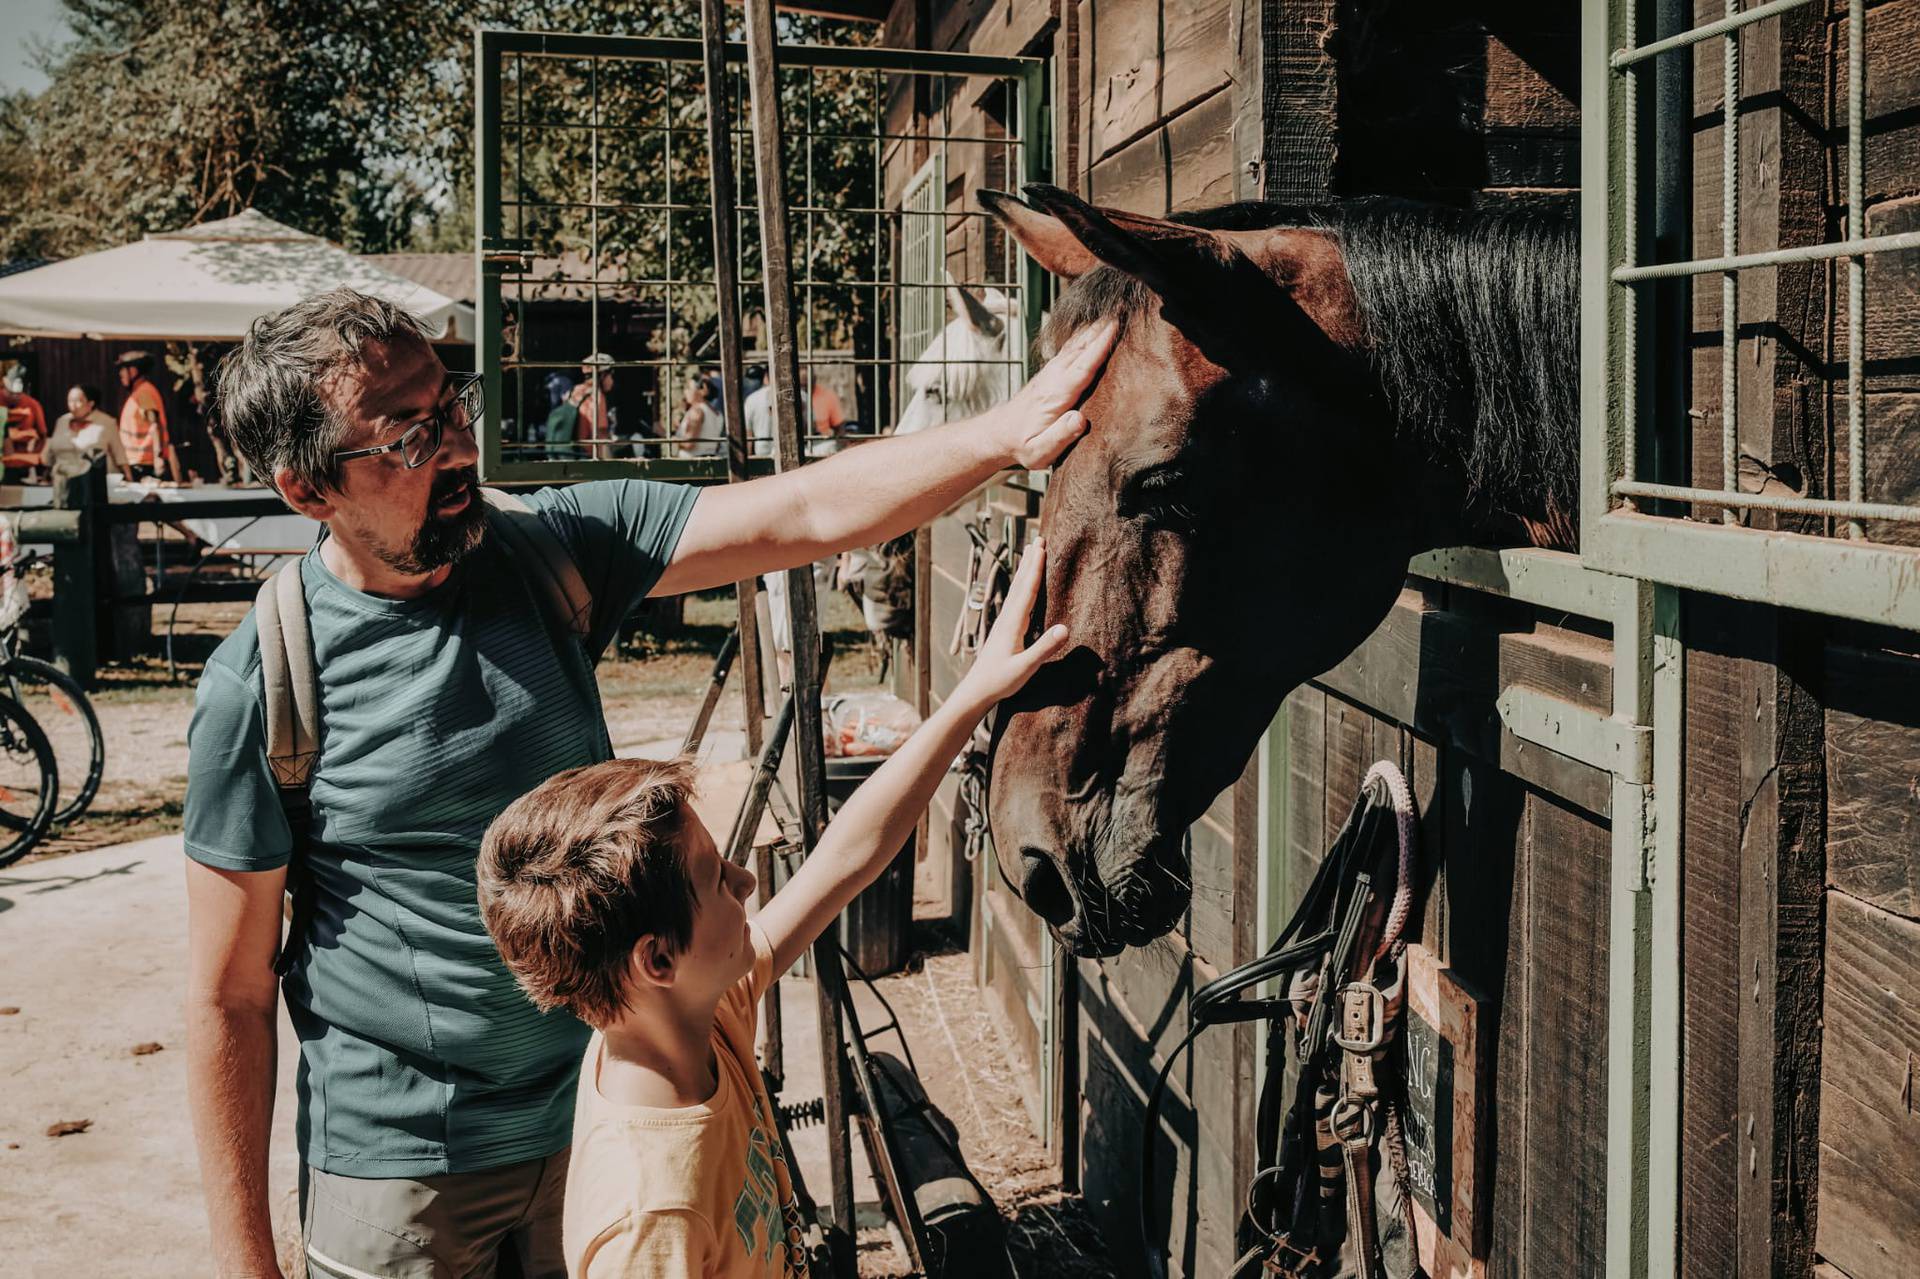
<point>610,900</point>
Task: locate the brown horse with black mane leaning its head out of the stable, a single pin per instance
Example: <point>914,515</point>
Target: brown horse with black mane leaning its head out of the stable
<point>1299,400</point>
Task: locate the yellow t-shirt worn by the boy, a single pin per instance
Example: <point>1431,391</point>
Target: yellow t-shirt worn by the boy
<point>694,1190</point>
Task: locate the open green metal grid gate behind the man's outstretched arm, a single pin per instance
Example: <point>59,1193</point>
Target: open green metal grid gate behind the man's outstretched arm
<point>596,239</point>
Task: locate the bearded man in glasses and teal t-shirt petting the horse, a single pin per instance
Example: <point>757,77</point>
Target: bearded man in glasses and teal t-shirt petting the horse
<point>433,1099</point>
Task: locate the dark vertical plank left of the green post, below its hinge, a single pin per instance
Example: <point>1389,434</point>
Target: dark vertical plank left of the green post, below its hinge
<point>1568,863</point>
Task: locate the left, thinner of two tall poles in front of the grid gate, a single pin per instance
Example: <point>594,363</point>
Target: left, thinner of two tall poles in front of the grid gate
<point>727,283</point>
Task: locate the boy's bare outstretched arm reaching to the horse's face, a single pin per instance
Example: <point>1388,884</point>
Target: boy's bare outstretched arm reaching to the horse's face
<point>876,821</point>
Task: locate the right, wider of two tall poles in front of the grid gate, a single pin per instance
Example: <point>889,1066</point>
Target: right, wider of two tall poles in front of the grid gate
<point>777,268</point>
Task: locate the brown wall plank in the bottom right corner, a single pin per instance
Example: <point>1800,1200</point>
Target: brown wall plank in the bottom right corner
<point>1869,1105</point>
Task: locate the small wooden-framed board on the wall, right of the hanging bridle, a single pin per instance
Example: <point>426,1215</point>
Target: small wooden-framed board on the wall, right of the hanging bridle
<point>1449,1076</point>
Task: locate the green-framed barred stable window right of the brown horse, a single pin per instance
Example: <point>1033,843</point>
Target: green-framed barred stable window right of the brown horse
<point>1689,249</point>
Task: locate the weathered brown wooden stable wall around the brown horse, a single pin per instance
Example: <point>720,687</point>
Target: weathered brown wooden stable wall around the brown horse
<point>1802,738</point>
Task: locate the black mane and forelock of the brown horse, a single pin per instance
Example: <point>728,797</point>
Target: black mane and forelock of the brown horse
<point>1474,333</point>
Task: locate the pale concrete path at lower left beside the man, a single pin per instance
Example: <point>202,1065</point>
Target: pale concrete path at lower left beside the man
<point>93,955</point>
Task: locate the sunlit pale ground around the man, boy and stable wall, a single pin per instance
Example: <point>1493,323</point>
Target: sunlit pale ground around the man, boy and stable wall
<point>66,1048</point>
